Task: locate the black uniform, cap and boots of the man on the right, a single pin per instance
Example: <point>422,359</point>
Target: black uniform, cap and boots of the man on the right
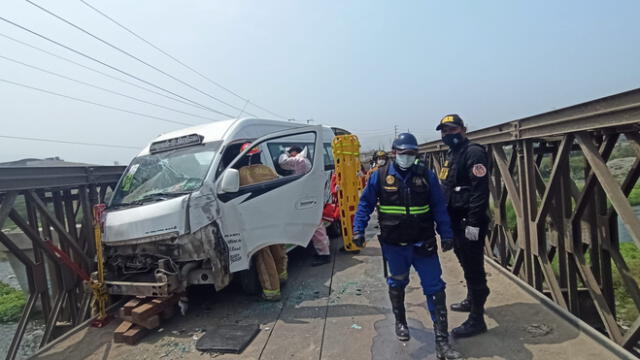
<point>465,183</point>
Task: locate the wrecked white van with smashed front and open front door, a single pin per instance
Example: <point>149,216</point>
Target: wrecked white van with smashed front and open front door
<point>179,217</point>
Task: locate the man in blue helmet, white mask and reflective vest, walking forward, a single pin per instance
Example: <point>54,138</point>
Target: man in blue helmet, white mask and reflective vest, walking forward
<point>410,204</point>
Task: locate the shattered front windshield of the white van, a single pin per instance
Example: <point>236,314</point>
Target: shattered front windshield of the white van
<point>167,174</point>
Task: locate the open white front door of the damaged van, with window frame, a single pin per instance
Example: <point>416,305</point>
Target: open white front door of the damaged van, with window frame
<point>278,206</point>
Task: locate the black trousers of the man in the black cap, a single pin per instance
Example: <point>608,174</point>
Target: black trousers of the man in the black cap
<point>471,257</point>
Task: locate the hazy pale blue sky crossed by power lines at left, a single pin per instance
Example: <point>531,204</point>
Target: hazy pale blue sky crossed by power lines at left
<point>366,66</point>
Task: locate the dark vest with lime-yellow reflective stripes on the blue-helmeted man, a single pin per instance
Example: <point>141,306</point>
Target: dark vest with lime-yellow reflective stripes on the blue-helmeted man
<point>404,213</point>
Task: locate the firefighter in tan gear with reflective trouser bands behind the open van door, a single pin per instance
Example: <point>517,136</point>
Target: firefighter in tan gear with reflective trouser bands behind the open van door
<point>271,262</point>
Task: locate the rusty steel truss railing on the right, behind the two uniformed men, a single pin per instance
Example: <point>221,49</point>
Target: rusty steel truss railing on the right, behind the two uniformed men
<point>556,200</point>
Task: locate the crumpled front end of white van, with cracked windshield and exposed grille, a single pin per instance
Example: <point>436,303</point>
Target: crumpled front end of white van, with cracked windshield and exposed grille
<point>160,234</point>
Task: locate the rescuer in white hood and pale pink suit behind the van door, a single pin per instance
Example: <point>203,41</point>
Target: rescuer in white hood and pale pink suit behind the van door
<point>295,159</point>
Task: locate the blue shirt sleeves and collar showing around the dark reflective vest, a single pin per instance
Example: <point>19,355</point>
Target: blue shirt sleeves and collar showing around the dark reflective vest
<point>369,199</point>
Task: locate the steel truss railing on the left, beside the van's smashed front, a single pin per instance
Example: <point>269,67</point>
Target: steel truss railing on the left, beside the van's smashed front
<point>41,210</point>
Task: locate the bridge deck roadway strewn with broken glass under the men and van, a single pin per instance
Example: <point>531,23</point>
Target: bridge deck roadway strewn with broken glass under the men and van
<point>341,311</point>
